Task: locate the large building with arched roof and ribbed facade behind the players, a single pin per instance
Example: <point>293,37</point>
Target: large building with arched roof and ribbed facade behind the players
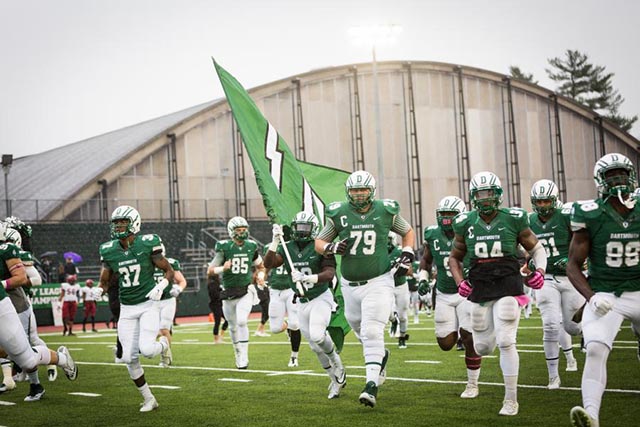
<point>423,133</point>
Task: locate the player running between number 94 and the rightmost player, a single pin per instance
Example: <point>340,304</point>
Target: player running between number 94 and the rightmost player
<point>558,300</point>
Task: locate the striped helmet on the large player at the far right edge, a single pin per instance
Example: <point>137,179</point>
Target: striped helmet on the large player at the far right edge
<point>620,184</point>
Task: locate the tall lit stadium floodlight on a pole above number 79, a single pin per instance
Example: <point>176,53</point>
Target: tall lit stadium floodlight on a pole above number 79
<point>373,36</point>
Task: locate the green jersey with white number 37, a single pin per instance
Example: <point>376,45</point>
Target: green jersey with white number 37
<point>134,266</point>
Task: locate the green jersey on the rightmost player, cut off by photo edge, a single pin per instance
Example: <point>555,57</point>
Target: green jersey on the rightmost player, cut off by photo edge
<point>614,256</point>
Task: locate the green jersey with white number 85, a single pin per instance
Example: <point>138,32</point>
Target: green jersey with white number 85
<point>241,260</point>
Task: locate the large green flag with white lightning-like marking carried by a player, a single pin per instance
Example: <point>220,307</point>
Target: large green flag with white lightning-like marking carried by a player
<point>287,185</point>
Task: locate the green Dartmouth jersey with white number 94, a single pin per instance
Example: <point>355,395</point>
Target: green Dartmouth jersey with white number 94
<point>499,239</point>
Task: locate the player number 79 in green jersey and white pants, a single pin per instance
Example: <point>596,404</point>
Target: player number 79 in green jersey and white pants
<point>363,224</point>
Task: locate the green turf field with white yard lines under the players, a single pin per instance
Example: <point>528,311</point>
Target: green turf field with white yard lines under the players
<point>203,388</point>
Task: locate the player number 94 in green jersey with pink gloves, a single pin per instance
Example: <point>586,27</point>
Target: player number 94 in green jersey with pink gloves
<point>490,235</point>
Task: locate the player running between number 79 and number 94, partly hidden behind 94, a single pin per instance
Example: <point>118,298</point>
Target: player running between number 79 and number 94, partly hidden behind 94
<point>452,311</point>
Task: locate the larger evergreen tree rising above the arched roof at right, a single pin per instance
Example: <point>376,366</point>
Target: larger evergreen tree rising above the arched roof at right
<point>590,85</point>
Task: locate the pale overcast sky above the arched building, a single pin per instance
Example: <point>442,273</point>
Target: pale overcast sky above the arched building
<point>74,69</point>
